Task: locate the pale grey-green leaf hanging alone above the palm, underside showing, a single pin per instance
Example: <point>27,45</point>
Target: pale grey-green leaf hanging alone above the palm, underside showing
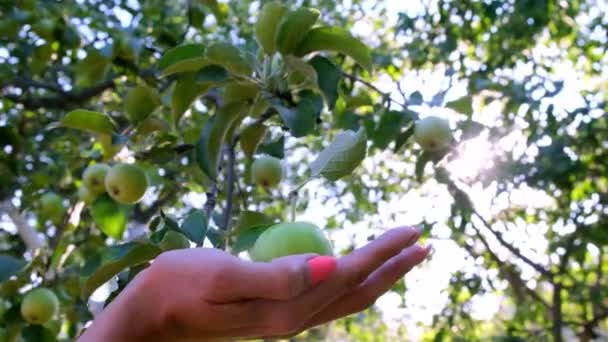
<point>342,156</point>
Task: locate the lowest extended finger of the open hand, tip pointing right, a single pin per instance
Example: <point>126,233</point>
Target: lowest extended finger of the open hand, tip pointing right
<point>374,286</point>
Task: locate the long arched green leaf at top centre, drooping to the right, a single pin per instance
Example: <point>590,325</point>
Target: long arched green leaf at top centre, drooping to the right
<point>336,39</point>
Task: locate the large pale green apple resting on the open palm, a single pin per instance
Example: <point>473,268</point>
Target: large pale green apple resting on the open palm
<point>290,238</point>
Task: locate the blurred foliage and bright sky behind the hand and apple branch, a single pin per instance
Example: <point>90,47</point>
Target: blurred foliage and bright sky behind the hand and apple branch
<point>517,213</point>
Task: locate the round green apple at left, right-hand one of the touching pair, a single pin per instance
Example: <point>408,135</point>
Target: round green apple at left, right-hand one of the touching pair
<point>126,183</point>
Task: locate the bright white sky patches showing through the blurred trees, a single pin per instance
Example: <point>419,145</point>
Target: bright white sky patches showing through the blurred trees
<point>430,202</point>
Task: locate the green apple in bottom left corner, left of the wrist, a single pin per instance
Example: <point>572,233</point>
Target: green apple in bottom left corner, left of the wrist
<point>39,306</point>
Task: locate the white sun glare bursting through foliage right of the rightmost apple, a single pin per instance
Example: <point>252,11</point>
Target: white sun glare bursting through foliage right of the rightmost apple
<point>473,157</point>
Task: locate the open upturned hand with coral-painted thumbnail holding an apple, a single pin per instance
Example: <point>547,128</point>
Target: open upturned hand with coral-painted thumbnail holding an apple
<point>207,294</point>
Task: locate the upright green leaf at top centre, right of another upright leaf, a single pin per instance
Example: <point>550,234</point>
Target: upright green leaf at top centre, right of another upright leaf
<point>293,28</point>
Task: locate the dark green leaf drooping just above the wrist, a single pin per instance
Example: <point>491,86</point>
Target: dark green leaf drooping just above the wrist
<point>118,258</point>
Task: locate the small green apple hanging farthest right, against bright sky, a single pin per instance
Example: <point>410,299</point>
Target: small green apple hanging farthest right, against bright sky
<point>433,133</point>
